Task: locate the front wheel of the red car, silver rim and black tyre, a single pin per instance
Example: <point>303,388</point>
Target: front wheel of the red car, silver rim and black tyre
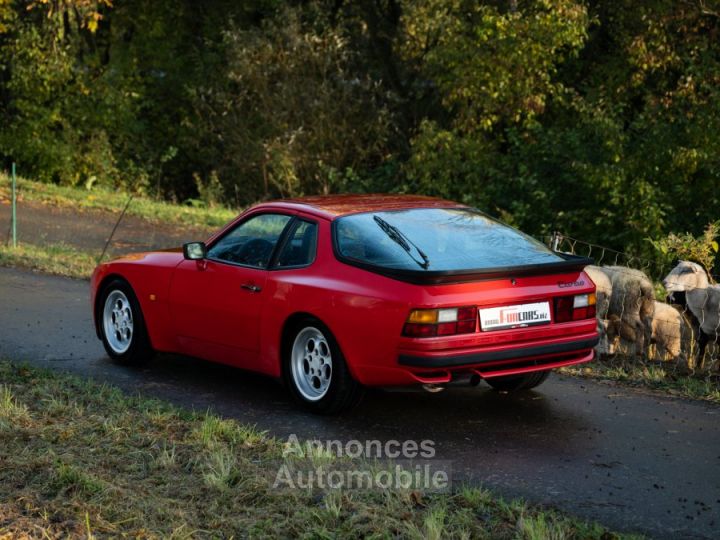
<point>122,326</point>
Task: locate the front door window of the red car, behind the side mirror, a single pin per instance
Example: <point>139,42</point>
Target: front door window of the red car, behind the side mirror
<point>252,242</point>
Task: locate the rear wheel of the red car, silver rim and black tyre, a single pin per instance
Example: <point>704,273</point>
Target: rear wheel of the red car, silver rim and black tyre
<point>316,372</point>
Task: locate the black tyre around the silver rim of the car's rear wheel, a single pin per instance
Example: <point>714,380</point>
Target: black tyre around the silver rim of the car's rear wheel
<point>342,393</point>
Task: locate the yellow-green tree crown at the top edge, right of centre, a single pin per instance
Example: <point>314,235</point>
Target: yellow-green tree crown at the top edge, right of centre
<point>493,66</point>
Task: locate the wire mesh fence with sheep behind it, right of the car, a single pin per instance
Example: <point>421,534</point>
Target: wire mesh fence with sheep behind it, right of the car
<point>674,320</point>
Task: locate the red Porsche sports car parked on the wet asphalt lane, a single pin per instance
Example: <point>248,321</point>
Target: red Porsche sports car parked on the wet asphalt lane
<point>331,294</point>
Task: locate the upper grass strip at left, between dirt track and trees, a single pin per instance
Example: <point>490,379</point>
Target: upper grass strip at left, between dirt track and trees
<point>114,201</point>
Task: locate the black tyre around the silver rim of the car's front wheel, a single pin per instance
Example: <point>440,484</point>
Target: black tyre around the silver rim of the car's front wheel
<point>138,351</point>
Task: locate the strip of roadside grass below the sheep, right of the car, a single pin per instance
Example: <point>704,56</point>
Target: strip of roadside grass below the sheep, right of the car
<point>664,377</point>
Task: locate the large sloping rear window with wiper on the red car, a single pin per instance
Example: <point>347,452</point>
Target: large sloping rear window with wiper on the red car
<point>444,245</point>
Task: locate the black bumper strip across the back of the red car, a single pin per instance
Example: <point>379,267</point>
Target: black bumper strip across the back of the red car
<point>486,357</point>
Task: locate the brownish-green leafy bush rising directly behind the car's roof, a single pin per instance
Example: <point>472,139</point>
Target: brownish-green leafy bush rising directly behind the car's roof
<point>290,110</point>
